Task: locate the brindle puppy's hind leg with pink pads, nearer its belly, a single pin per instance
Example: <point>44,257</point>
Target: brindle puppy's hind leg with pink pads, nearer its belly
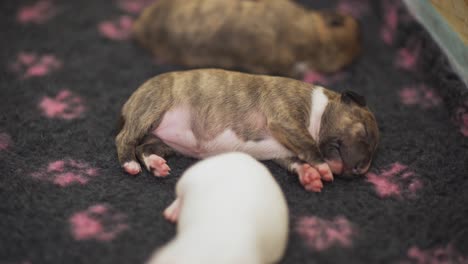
<point>151,153</point>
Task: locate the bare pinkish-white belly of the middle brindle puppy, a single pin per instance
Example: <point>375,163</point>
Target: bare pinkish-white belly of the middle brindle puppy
<point>176,132</point>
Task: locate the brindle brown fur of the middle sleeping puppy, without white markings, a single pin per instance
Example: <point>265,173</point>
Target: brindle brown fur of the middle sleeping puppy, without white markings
<point>253,106</point>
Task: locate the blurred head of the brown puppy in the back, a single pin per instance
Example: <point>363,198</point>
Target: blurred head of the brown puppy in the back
<point>340,40</point>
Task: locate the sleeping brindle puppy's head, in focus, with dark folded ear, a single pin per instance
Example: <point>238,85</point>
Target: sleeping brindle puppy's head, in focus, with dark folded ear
<point>348,135</point>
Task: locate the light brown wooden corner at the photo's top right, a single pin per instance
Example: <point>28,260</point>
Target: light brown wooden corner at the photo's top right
<point>455,12</point>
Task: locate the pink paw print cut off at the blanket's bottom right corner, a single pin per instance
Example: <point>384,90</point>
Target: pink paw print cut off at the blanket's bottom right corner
<point>439,255</point>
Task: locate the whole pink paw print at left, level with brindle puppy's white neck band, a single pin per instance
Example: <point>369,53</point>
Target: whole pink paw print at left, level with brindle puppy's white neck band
<point>65,105</point>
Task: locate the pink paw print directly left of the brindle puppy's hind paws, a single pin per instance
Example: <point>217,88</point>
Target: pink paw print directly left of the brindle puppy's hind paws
<point>66,172</point>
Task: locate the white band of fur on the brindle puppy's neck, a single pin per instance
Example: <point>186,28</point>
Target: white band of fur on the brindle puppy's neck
<point>319,103</point>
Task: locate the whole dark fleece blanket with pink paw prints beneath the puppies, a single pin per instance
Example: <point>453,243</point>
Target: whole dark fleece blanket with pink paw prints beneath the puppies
<point>66,69</point>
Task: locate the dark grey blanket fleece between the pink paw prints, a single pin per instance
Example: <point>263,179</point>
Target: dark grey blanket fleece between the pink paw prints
<point>34,214</point>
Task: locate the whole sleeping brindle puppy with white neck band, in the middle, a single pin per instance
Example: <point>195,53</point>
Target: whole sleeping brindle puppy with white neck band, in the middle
<point>201,113</point>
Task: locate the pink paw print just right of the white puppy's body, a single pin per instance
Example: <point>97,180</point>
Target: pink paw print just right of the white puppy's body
<point>320,234</point>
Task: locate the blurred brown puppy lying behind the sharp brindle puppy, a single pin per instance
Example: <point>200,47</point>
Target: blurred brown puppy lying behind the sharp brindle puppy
<point>267,37</point>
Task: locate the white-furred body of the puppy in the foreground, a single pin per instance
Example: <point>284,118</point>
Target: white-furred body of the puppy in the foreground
<point>232,211</point>
